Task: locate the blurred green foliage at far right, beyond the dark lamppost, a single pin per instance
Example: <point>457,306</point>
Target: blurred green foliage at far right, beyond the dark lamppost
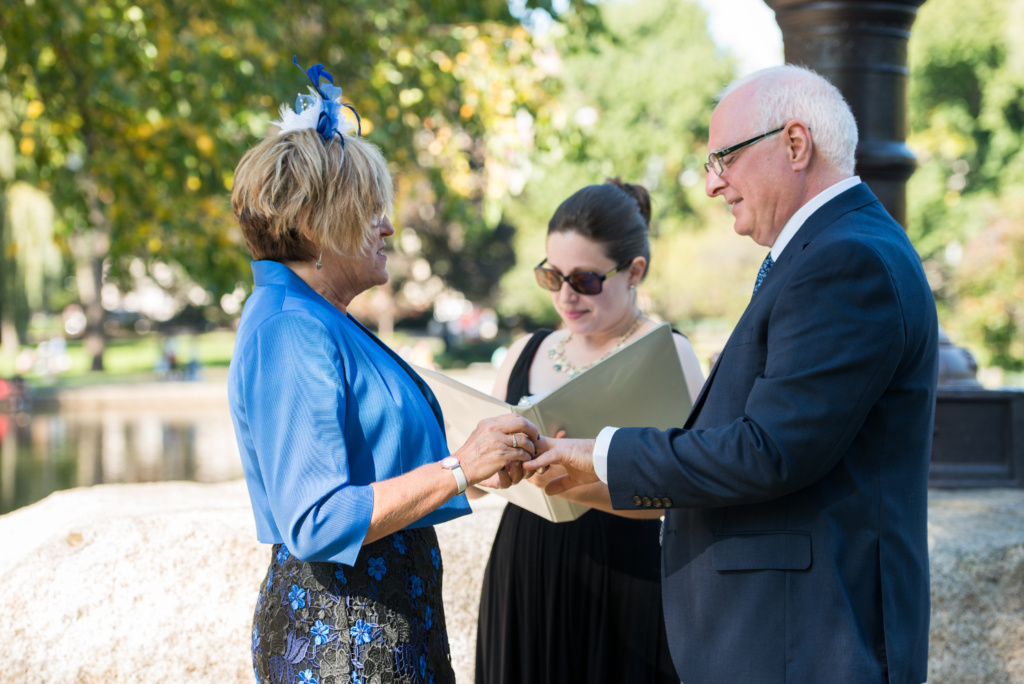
<point>965,213</point>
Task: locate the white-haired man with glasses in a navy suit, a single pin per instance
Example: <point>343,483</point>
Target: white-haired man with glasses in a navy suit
<point>795,541</point>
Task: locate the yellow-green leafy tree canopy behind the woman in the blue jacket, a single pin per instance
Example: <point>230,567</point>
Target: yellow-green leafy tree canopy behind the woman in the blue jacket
<point>133,117</point>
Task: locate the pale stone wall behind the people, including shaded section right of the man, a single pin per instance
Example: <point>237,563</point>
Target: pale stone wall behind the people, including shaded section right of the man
<point>157,583</point>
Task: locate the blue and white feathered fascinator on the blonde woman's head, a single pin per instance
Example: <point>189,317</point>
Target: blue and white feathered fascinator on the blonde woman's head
<point>321,110</point>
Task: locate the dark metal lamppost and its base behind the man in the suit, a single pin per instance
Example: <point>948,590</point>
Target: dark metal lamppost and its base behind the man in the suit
<point>862,48</point>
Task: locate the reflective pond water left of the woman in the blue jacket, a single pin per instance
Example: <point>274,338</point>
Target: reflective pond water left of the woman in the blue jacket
<point>42,453</point>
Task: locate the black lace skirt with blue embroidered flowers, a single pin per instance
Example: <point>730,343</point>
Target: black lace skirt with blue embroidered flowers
<point>380,622</point>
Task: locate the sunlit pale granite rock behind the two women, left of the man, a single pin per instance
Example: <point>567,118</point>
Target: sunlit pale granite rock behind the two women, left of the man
<point>157,584</point>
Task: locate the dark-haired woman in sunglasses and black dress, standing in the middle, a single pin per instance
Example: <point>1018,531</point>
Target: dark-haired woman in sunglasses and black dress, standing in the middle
<point>580,602</point>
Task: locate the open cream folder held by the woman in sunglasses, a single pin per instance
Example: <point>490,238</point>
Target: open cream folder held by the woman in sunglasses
<point>642,386</point>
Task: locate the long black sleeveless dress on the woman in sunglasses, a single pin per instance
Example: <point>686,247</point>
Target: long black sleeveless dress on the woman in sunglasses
<point>576,602</point>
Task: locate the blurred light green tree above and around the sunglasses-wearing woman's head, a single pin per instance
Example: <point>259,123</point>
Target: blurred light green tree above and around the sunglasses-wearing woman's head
<point>637,105</point>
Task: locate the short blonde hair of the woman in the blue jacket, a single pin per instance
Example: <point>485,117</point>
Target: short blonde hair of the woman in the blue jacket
<point>295,195</point>
